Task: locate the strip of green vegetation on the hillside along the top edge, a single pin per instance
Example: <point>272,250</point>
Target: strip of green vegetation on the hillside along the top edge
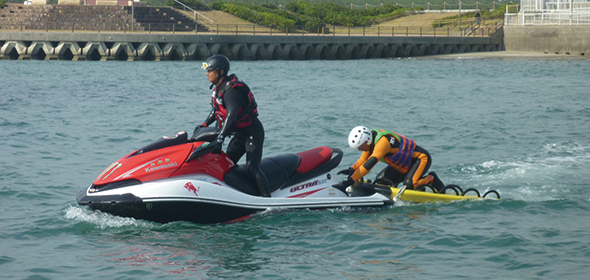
<point>314,15</point>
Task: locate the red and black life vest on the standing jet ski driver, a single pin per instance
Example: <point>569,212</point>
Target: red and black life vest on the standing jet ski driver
<point>245,114</point>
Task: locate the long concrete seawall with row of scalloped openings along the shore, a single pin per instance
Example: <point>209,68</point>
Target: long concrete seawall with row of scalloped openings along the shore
<point>167,46</point>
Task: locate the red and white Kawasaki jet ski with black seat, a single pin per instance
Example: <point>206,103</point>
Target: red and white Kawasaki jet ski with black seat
<point>179,179</point>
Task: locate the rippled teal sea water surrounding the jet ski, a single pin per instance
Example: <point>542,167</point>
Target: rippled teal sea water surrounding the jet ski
<point>519,126</point>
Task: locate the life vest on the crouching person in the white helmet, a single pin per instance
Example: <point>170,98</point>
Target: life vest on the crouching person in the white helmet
<point>403,157</point>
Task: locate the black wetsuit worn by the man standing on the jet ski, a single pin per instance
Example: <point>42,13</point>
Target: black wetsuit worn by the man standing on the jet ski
<point>246,140</point>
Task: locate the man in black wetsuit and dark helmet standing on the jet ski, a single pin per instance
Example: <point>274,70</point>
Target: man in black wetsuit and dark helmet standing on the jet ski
<point>236,113</point>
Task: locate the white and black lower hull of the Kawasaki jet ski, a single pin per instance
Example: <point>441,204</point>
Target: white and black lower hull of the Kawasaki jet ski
<point>194,200</point>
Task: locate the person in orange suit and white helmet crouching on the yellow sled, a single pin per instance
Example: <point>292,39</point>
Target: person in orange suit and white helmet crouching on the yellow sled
<point>407,161</point>
